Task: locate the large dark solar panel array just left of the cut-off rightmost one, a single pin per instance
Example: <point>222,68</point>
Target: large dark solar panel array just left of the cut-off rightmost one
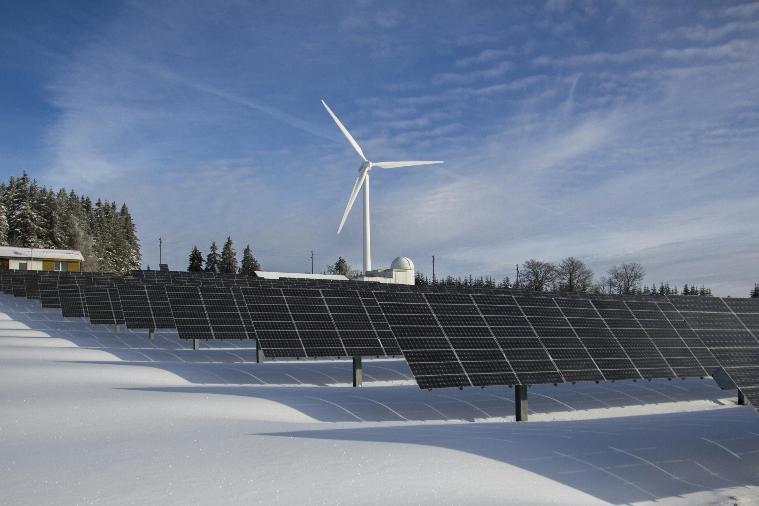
<point>475,340</point>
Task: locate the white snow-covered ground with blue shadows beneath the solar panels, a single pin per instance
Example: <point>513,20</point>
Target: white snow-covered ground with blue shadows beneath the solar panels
<point>89,416</point>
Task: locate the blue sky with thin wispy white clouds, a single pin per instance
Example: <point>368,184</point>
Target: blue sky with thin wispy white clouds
<point>611,131</point>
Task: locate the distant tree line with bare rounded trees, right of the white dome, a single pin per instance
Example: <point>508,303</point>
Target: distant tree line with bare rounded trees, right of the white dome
<point>572,275</point>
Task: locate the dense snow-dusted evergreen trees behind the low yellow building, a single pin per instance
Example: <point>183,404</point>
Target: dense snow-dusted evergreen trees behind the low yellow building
<point>33,216</point>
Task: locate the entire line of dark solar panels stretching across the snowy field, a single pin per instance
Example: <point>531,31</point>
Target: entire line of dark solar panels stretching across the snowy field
<point>499,337</point>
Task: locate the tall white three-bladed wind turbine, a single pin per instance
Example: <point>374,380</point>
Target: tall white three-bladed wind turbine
<point>363,180</point>
